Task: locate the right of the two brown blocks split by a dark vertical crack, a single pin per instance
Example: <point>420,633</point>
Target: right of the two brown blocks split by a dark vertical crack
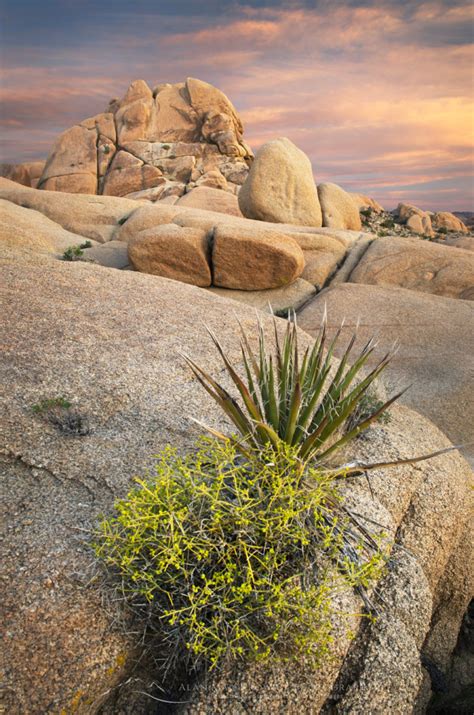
<point>254,262</point>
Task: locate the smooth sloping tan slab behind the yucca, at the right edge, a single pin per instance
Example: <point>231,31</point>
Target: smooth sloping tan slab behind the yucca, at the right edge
<point>435,355</point>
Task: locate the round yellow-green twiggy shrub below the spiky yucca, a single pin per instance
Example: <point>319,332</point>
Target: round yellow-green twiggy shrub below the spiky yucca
<point>233,557</point>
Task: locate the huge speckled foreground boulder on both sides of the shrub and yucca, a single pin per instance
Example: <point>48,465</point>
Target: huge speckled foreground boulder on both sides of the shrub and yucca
<point>62,650</point>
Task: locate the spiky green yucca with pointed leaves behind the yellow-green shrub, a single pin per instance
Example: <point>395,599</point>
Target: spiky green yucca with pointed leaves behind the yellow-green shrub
<point>303,402</point>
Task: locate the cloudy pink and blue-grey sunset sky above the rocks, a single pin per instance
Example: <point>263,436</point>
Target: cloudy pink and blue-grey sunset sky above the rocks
<point>378,94</point>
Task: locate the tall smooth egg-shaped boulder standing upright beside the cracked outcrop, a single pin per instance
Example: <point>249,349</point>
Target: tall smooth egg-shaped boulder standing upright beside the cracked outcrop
<point>280,186</point>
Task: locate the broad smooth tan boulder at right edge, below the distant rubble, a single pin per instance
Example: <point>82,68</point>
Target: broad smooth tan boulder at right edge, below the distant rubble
<point>419,265</point>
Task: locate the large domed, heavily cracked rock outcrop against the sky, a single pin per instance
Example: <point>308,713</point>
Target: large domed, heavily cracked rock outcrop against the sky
<point>170,140</point>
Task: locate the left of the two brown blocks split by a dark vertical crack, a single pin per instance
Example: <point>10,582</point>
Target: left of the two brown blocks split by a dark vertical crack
<point>171,251</point>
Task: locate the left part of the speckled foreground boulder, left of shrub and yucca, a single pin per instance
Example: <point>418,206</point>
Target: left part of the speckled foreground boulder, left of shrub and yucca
<point>61,651</point>
